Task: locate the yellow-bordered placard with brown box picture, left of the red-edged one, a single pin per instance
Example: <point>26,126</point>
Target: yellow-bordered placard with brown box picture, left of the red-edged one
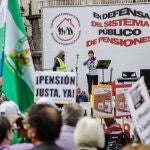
<point>102,103</point>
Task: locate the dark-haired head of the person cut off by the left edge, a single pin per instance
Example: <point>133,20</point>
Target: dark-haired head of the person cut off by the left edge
<point>5,130</point>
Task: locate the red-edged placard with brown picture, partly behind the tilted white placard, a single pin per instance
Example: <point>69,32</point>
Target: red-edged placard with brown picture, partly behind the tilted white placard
<point>121,105</point>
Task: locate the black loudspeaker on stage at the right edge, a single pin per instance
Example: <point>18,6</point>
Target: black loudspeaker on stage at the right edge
<point>146,74</point>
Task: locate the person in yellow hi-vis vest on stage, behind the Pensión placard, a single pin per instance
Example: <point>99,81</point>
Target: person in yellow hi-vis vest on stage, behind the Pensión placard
<point>59,62</point>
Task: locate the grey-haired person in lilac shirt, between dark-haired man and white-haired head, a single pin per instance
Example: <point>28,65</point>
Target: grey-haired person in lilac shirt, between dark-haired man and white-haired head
<point>71,113</point>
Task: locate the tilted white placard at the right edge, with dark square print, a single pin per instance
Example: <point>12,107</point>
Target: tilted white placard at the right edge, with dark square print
<point>139,104</point>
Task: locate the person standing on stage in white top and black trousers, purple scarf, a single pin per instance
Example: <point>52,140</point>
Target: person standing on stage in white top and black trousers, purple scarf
<point>92,73</point>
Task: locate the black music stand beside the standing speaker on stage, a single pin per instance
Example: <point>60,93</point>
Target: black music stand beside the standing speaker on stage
<point>103,64</point>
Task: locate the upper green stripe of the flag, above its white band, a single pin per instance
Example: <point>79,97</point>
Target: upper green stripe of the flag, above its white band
<point>13,7</point>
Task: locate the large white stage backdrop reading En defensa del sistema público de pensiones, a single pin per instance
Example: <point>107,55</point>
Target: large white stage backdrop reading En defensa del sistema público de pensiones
<point>120,33</point>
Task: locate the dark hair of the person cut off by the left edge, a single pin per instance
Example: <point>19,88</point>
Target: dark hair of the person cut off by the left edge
<point>5,126</point>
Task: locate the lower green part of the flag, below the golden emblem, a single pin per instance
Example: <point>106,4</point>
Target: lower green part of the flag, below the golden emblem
<point>24,98</point>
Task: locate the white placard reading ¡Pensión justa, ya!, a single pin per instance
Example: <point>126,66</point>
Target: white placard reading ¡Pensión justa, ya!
<point>60,87</point>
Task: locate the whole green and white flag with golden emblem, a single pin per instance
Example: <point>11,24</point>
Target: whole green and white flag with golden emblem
<point>18,70</point>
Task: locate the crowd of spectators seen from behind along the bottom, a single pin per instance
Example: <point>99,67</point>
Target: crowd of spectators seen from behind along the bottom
<point>46,127</point>
